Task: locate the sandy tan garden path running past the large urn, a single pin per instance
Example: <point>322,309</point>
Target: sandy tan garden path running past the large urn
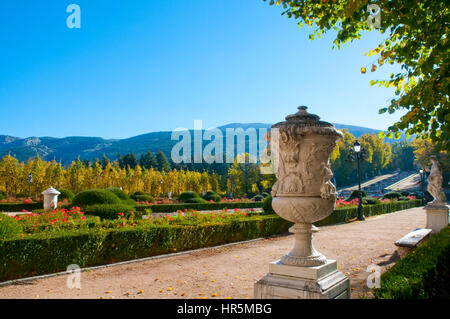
<point>230,272</point>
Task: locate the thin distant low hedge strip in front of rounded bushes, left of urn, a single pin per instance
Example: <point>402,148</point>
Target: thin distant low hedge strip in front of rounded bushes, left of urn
<point>171,208</point>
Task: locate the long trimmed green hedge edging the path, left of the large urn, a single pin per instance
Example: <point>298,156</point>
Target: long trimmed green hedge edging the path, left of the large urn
<point>36,256</point>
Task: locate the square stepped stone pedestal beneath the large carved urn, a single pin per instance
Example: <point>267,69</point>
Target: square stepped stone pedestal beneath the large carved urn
<point>294,282</point>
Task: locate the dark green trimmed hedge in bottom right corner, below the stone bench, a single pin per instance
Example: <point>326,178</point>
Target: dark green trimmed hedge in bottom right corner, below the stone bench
<point>422,274</point>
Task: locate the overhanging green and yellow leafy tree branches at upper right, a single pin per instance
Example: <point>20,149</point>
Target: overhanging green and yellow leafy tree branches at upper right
<point>416,38</point>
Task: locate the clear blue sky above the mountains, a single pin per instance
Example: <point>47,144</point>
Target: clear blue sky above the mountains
<point>141,66</point>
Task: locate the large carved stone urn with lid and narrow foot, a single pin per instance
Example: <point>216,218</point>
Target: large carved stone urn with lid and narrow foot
<point>303,193</point>
